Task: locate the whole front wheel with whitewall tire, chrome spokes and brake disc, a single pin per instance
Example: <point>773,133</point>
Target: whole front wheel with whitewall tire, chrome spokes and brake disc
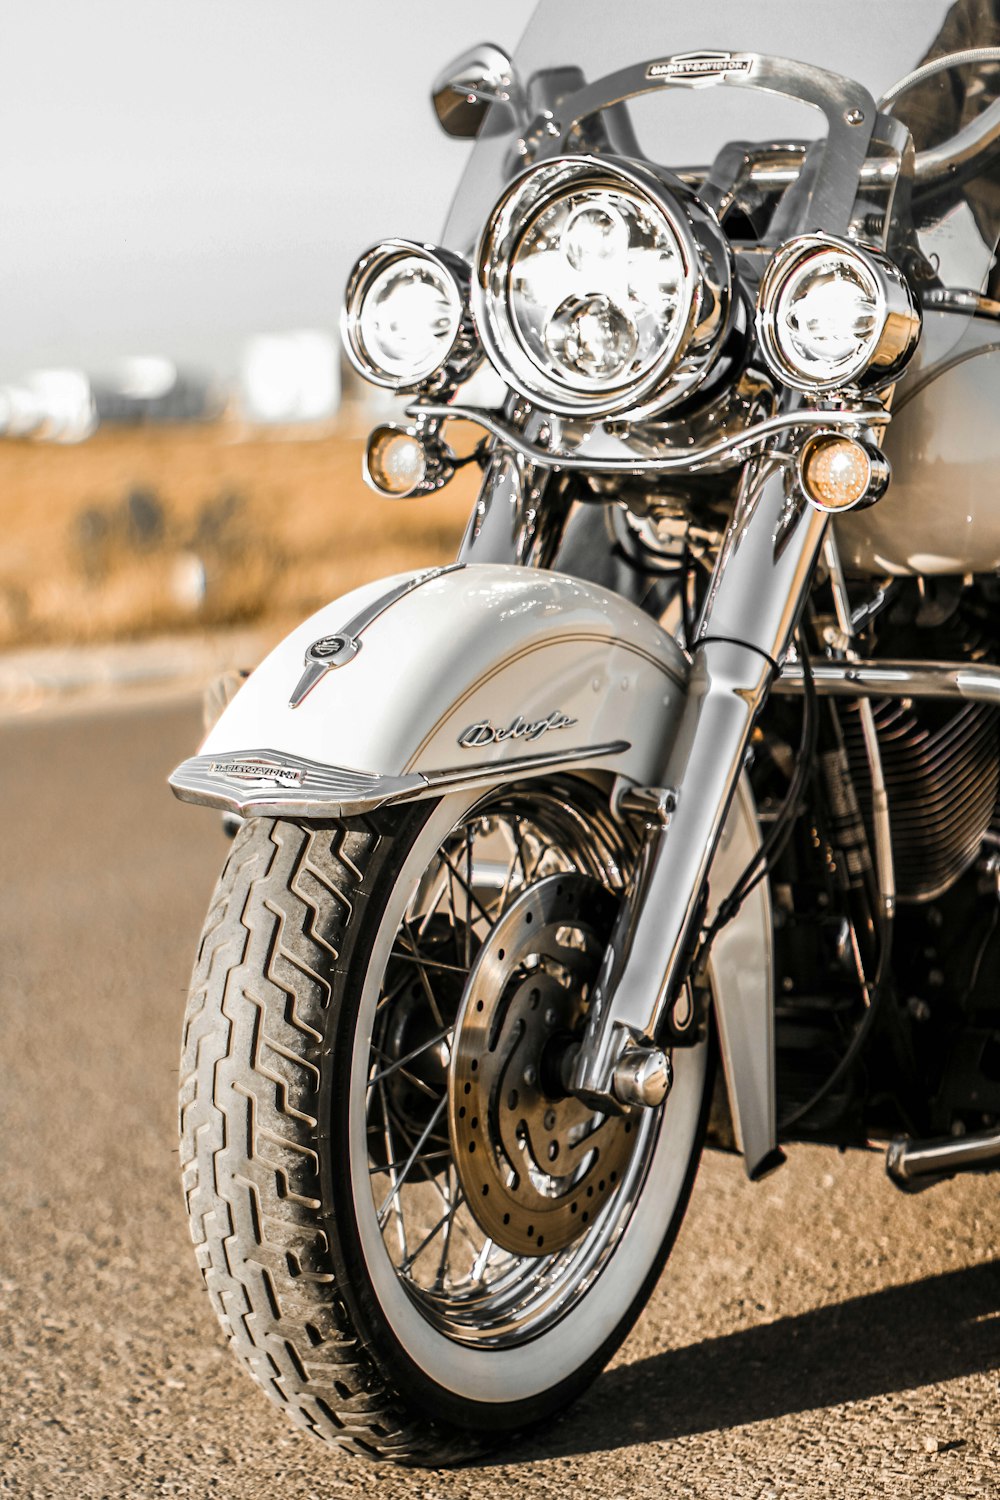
<point>413,1240</point>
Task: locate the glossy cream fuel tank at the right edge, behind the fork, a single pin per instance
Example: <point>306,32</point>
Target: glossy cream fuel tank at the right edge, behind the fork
<point>942,512</point>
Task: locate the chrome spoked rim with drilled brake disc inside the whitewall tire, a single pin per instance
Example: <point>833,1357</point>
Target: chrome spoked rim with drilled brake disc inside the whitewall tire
<point>497,1196</point>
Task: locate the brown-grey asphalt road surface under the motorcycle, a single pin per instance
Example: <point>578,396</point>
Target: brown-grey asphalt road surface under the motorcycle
<point>816,1336</point>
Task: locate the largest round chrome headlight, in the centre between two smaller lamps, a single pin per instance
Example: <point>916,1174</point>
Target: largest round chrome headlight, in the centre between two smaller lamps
<point>602,287</point>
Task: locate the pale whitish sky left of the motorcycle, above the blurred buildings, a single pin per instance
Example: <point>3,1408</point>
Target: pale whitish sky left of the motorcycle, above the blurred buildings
<point>178,175</point>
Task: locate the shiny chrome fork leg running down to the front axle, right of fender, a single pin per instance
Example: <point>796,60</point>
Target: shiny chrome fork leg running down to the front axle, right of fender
<point>761,581</point>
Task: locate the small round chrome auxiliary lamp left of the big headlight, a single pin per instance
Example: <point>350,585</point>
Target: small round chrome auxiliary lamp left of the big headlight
<point>407,316</point>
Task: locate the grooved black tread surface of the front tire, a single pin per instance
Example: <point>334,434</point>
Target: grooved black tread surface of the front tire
<point>250,1106</point>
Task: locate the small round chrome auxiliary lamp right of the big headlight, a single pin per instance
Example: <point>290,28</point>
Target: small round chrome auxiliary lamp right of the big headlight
<point>831,316</point>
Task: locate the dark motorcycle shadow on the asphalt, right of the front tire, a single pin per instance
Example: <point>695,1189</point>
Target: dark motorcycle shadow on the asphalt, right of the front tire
<point>890,1342</point>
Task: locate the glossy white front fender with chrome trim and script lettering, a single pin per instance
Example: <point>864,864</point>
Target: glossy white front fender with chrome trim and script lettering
<point>476,676</point>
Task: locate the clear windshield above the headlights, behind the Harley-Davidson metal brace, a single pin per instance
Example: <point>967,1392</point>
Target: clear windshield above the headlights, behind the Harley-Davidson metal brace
<point>873,43</point>
